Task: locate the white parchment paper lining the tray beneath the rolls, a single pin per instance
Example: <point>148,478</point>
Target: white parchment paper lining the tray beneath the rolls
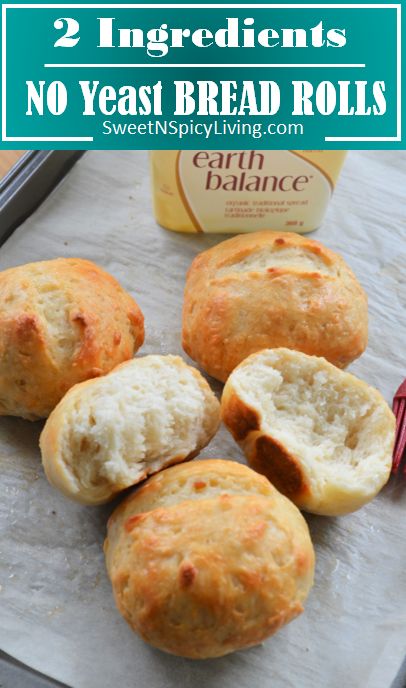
<point>56,609</point>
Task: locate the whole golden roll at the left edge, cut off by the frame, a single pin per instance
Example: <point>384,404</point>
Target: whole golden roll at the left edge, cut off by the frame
<point>61,321</point>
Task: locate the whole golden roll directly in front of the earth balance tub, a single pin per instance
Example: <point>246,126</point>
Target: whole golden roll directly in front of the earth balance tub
<point>266,290</point>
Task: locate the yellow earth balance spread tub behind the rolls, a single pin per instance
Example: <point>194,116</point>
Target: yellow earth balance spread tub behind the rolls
<point>243,191</point>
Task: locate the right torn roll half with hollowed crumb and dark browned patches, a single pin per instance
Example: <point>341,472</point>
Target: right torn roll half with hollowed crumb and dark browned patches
<point>323,437</point>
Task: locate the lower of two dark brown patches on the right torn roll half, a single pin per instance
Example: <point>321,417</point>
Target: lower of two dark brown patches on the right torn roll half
<point>271,459</point>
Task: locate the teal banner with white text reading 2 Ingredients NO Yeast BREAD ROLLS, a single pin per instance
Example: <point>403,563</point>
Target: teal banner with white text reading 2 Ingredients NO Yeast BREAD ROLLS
<point>186,76</point>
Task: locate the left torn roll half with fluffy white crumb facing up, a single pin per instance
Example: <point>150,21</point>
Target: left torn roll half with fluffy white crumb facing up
<point>109,433</point>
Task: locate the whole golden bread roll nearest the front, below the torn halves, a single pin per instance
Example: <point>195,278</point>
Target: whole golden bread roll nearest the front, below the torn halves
<point>208,558</point>
